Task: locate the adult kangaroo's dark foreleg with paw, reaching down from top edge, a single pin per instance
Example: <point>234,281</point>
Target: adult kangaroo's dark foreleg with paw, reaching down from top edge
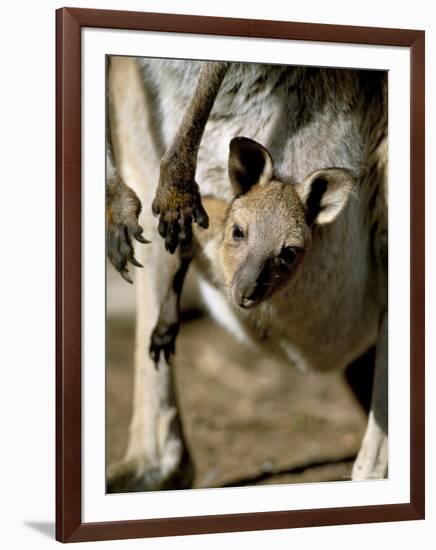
<point>177,200</point>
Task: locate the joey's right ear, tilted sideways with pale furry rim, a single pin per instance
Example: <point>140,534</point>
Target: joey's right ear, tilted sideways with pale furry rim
<point>325,193</point>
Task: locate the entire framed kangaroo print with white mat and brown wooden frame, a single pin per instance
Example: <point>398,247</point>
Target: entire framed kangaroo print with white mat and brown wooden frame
<point>240,275</point>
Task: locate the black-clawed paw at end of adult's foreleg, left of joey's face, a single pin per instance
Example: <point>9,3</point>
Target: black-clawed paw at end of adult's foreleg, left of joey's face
<point>177,207</point>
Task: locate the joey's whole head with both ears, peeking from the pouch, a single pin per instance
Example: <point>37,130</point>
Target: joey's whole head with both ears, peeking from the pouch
<point>269,225</point>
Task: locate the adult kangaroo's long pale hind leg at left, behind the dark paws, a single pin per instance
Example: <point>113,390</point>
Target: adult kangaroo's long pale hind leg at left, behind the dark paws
<point>156,456</point>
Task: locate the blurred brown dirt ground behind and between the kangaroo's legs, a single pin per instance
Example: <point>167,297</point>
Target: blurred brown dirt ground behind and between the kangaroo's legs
<point>248,419</point>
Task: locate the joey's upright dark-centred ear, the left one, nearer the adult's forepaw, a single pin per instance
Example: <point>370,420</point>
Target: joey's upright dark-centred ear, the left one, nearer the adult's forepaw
<point>249,163</point>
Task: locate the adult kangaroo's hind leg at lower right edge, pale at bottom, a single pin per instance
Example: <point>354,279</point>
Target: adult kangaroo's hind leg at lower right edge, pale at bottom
<point>372,459</point>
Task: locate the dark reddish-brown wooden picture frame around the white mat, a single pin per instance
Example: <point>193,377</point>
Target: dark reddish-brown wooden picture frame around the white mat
<point>69,526</point>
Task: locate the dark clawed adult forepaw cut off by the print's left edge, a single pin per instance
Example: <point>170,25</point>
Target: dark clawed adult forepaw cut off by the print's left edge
<point>123,209</point>
